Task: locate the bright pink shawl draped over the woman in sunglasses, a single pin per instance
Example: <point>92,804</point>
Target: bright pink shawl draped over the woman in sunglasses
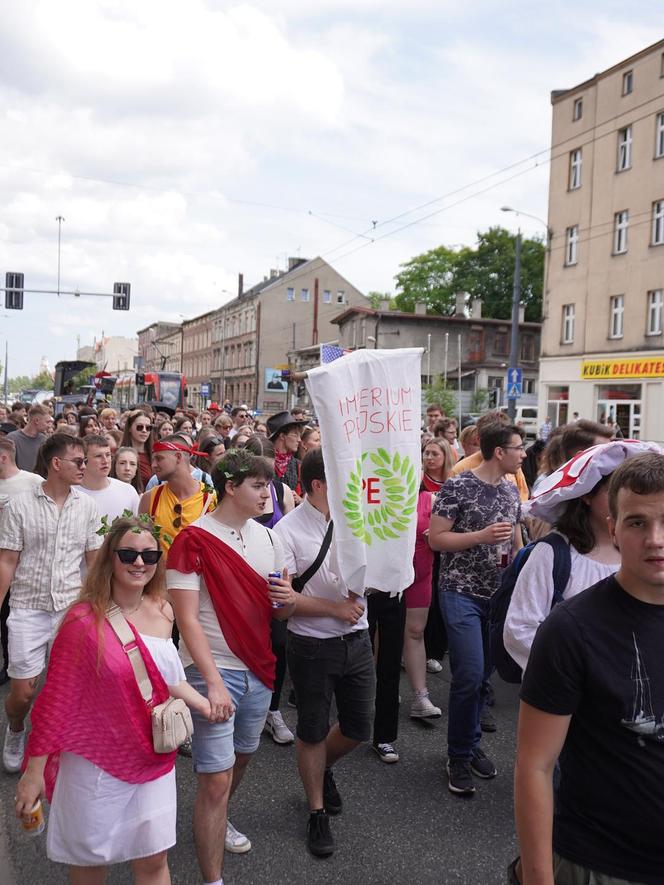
<point>94,708</point>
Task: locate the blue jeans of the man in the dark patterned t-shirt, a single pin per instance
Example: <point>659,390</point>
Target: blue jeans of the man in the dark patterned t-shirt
<point>467,623</point>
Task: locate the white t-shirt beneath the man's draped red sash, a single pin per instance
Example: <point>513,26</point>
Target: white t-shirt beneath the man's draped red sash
<point>262,551</point>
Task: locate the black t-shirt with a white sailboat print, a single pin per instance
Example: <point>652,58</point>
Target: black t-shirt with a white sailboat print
<point>599,657</point>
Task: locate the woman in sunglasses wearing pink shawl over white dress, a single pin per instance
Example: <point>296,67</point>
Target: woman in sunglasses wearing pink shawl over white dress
<point>90,751</point>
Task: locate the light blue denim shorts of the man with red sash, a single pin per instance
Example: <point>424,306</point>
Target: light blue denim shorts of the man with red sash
<point>214,744</point>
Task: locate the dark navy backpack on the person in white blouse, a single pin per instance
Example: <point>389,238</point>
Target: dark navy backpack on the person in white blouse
<point>507,667</point>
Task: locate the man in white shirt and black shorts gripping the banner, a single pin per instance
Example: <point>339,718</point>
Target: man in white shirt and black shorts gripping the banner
<point>329,653</point>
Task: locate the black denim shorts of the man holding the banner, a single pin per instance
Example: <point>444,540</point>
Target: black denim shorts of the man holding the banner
<point>342,667</point>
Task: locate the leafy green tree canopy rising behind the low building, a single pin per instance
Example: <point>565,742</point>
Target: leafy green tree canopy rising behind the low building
<point>485,271</point>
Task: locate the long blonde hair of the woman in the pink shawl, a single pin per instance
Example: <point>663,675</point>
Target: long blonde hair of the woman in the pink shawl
<point>97,586</point>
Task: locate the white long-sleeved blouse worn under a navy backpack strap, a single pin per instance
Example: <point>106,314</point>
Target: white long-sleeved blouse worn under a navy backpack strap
<point>533,595</point>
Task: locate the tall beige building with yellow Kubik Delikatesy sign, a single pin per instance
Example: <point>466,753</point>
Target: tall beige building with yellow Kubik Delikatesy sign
<point>603,333</point>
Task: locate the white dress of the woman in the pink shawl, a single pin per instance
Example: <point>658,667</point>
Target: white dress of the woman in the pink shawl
<point>96,819</point>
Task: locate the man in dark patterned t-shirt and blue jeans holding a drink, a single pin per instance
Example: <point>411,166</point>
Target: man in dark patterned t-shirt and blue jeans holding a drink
<point>474,521</point>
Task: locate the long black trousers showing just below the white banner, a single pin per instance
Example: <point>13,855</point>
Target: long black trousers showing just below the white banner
<point>387,617</point>
